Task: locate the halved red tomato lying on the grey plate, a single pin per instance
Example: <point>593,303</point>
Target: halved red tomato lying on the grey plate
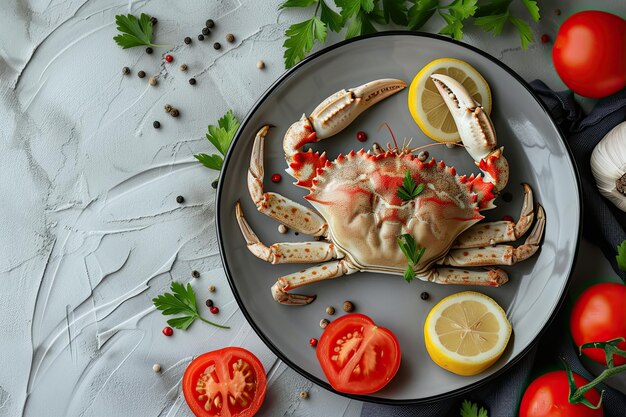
<point>357,356</point>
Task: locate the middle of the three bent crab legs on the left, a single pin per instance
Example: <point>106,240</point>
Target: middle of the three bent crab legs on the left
<point>285,253</point>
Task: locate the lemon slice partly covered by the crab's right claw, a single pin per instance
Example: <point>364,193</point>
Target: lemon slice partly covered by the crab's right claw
<point>428,108</point>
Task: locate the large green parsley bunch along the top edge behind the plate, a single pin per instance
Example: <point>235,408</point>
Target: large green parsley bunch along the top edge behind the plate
<point>361,17</point>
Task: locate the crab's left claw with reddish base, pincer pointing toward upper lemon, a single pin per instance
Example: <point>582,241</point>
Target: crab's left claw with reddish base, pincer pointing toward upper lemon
<point>330,117</point>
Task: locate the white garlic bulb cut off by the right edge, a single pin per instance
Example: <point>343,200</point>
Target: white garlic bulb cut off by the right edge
<point>608,165</point>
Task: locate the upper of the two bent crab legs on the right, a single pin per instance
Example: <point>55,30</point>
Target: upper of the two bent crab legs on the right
<point>485,234</point>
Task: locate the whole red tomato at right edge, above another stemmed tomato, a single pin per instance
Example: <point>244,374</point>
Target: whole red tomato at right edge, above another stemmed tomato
<point>599,315</point>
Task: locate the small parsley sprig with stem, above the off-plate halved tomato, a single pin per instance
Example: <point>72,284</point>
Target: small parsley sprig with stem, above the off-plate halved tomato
<point>182,300</point>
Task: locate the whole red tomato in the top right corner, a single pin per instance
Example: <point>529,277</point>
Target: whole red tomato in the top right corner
<point>589,53</point>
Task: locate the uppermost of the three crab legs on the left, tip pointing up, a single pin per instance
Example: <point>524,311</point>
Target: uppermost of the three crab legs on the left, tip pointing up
<point>282,209</point>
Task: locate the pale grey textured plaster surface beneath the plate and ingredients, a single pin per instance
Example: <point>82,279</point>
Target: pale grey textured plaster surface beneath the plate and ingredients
<point>89,227</point>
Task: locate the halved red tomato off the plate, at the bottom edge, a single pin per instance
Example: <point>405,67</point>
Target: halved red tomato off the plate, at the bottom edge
<point>228,382</point>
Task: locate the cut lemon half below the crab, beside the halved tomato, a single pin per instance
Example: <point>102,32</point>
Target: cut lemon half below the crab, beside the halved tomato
<point>466,333</point>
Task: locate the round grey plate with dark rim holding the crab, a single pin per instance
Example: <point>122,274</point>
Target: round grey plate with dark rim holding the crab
<point>536,153</point>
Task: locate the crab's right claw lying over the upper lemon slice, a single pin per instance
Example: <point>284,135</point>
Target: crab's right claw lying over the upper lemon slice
<point>475,129</point>
